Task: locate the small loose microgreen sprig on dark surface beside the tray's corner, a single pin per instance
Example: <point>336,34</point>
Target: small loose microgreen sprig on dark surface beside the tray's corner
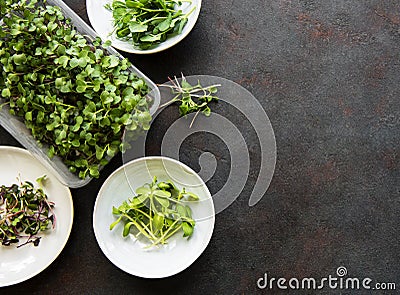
<point>191,98</point>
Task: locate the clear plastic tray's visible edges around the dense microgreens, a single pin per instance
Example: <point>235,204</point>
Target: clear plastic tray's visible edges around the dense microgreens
<point>15,126</point>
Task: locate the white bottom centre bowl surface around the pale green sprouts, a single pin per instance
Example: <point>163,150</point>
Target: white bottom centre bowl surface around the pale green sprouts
<point>135,254</point>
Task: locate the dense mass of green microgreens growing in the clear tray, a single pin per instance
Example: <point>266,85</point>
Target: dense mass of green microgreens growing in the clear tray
<point>73,95</point>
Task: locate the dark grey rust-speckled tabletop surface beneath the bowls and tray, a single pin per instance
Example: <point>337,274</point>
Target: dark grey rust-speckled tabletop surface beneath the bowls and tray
<point>327,74</point>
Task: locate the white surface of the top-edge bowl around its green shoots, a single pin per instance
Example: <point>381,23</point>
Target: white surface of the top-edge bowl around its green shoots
<point>102,22</point>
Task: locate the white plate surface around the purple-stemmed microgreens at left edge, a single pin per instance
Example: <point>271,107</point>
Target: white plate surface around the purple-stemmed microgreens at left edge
<point>20,264</point>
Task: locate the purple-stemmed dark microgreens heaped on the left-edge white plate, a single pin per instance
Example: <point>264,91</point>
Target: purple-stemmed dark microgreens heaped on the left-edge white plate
<point>24,212</point>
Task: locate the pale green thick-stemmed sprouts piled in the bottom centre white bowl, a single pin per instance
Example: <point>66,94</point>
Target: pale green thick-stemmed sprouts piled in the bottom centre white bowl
<point>158,211</point>
